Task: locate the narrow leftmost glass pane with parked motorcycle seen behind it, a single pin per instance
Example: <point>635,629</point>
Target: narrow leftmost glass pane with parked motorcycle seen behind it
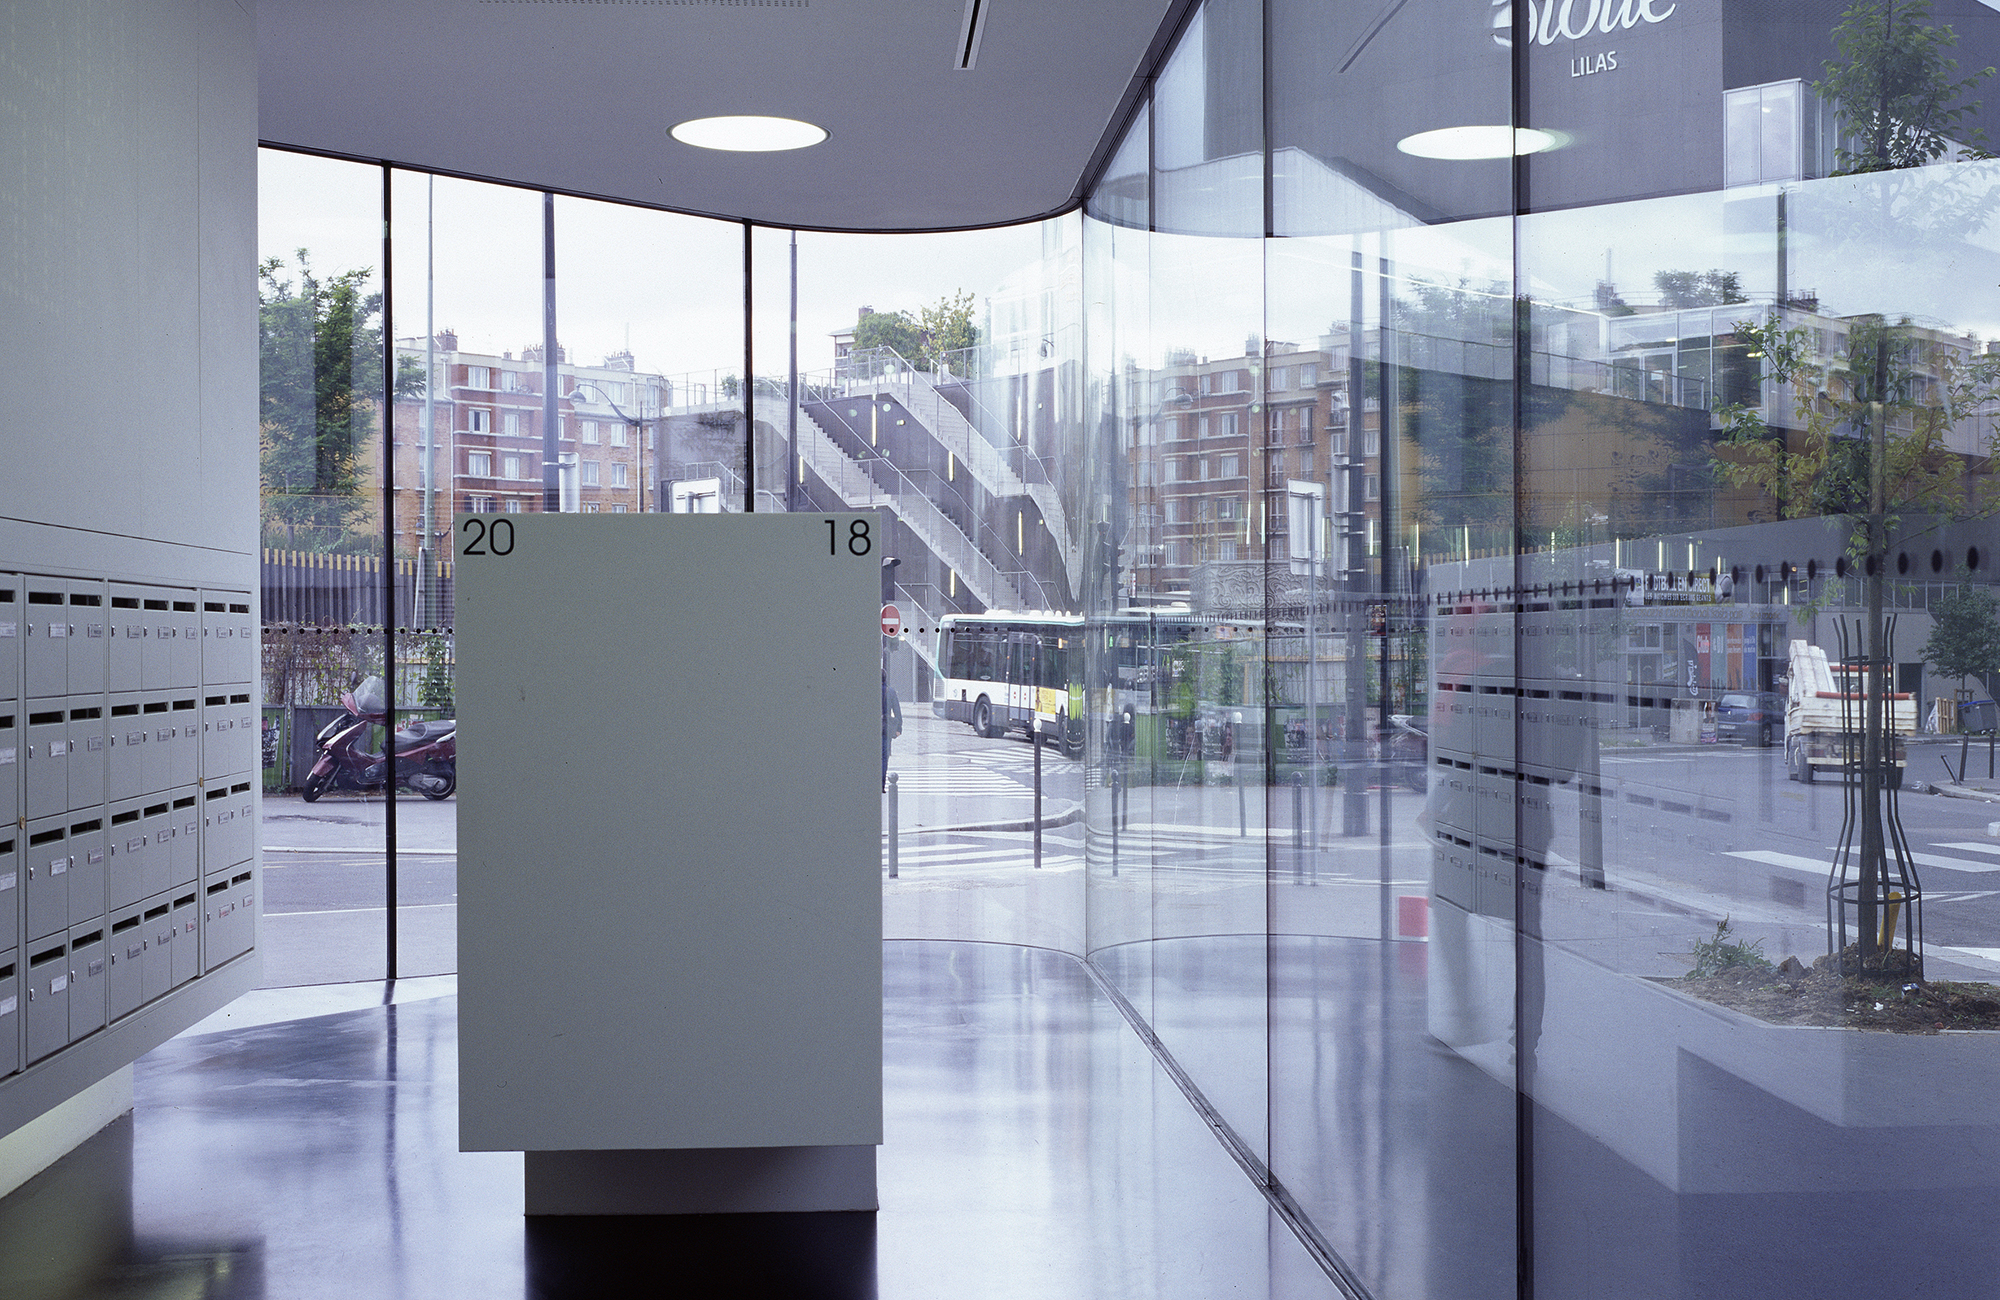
<point>321,457</point>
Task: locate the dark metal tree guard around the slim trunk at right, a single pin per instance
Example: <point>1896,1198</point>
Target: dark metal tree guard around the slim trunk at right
<point>1897,889</point>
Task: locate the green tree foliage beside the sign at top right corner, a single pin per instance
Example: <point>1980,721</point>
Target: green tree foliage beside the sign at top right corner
<point>1899,89</point>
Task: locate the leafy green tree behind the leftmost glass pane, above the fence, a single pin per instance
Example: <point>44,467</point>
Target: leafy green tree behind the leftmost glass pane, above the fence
<point>321,385</point>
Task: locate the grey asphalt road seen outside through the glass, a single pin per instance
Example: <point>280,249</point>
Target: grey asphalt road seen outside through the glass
<point>1689,835</point>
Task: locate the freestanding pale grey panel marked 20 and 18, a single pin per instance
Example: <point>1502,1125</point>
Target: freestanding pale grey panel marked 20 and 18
<point>669,833</point>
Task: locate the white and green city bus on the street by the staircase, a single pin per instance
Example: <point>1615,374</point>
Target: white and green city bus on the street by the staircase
<point>1005,671</point>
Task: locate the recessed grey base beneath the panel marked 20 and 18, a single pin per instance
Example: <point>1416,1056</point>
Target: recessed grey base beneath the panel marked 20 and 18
<point>715,1181</point>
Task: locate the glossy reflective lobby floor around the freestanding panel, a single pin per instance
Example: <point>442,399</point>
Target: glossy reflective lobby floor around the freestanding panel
<point>1035,1149</point>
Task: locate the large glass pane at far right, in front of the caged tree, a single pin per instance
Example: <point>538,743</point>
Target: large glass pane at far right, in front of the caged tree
<point>1755,507</point>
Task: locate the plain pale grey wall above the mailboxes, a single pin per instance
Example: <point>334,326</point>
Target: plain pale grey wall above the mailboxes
<point>129,287</point>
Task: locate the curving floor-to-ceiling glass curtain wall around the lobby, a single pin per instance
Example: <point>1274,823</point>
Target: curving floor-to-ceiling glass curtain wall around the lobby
<point>1487,519</point>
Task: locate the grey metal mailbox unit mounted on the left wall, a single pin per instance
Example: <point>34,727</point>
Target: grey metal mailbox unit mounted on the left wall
<point>109,769</point>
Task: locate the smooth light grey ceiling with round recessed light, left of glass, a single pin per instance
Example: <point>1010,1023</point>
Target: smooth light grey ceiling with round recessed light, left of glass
<point>579,97</point>
